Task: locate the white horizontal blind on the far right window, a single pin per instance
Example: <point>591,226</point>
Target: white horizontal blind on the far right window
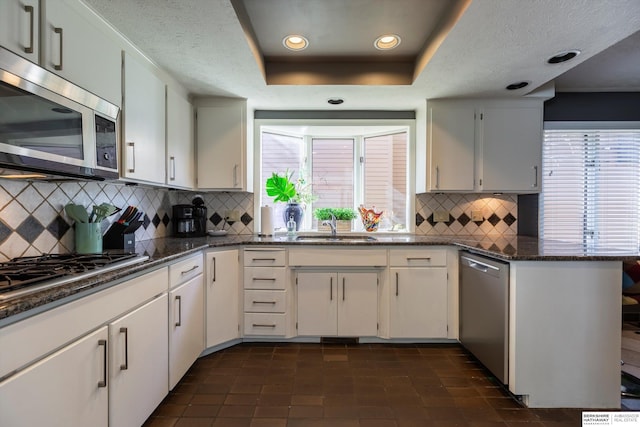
<point>591,185</point>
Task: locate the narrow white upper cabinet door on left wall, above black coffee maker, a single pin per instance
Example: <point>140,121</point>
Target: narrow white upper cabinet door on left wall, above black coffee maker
<point>180,143</point>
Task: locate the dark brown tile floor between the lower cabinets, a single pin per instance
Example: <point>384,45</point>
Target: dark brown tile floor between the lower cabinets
<point>338,385</point>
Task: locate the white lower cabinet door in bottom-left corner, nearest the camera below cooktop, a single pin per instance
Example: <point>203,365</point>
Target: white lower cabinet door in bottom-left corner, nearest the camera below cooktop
<point>66,389</point>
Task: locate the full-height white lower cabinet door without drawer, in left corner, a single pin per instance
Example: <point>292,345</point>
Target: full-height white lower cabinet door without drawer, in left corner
<point>222,297</point>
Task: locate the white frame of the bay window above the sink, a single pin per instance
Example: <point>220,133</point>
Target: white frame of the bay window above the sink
<point>376,126</point>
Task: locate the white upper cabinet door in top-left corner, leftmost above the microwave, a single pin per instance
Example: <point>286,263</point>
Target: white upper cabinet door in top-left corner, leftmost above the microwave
<point>19,27</point>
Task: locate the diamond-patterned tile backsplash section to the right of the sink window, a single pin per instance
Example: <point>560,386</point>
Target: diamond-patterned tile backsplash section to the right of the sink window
<point>498,214</point>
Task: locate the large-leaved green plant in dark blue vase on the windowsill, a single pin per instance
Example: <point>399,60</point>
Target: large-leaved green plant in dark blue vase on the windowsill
<point>296,194</point>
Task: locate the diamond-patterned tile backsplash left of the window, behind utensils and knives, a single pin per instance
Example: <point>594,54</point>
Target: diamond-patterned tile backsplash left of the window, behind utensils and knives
<point>33,221</point>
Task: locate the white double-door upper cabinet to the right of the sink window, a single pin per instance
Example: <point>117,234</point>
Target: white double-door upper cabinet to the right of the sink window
<point>484,145</point>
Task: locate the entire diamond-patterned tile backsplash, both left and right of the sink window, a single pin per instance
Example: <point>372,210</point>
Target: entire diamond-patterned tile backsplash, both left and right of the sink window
<point>33,221</point>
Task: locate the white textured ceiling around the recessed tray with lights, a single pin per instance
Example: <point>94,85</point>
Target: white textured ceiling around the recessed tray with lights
<point>493,43</point>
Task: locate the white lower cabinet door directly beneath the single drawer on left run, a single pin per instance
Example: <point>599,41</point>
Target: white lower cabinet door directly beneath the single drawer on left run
<point>186,327</point>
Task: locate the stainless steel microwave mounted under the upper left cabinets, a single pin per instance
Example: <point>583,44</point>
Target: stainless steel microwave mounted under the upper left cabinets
<point>51,127</point>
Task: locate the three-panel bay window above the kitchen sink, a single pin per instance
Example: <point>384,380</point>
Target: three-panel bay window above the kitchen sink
<point>344,167</point>
